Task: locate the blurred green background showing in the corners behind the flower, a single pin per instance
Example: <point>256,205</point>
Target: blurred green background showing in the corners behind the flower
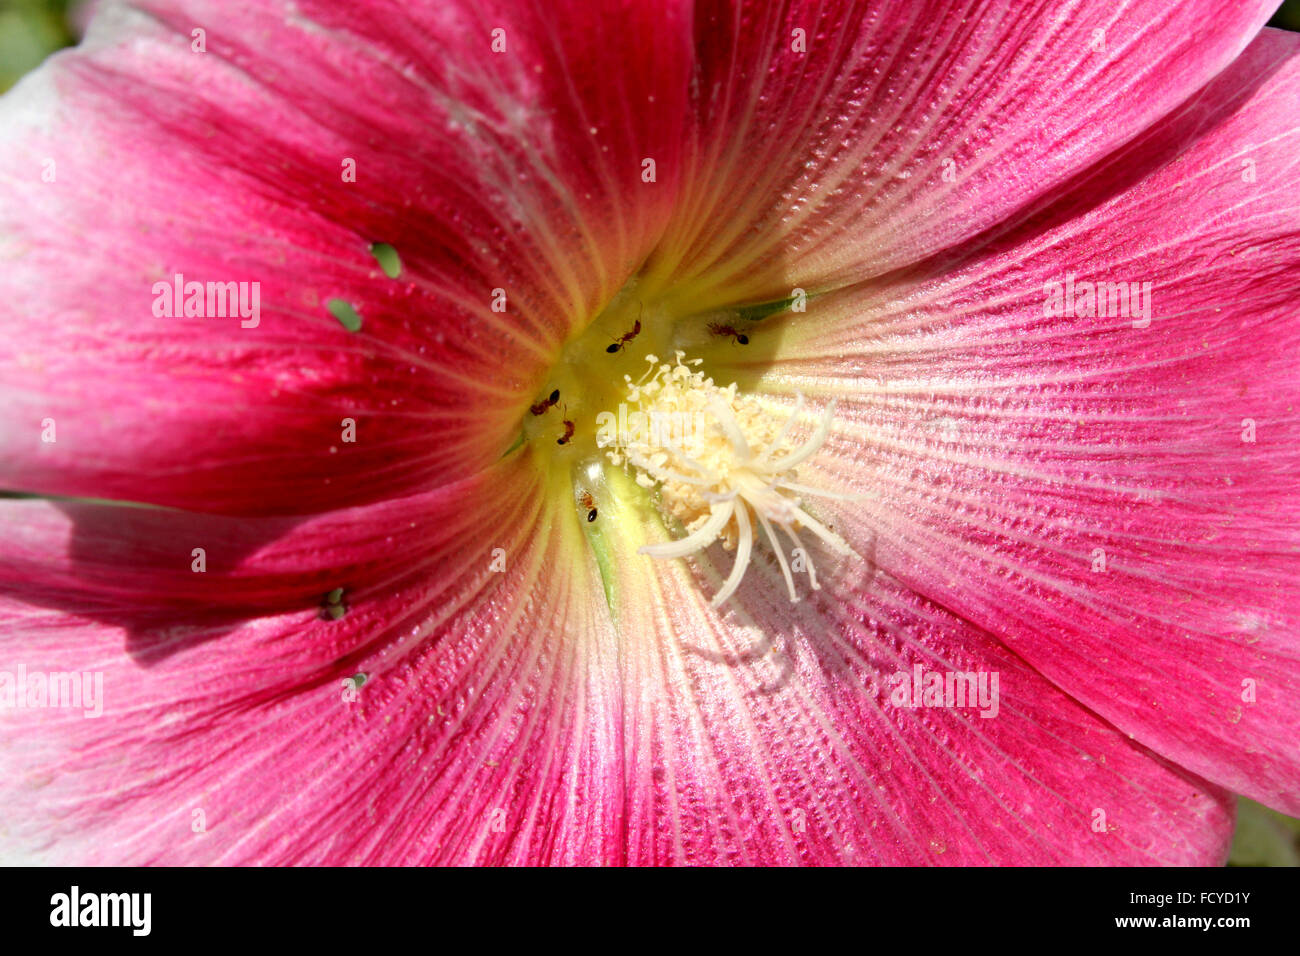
<point>33,29</point>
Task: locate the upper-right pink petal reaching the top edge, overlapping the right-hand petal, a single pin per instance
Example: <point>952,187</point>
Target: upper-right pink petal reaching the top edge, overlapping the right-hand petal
<point>829,167</point>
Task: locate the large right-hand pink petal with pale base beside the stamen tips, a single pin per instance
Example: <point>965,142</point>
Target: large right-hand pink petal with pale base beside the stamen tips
<point>1116,504</point>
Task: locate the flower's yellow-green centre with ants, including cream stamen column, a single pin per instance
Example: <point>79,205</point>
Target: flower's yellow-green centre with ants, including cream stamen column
<point>718,464</point>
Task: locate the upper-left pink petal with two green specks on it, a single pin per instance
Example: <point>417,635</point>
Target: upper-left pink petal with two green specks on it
<point>517,171</point>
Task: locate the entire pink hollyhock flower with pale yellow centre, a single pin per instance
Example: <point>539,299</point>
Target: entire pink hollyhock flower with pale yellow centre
<point>977,321</point>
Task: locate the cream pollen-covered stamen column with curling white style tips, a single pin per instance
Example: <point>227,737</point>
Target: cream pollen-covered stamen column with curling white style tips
<point>721,464</point>
